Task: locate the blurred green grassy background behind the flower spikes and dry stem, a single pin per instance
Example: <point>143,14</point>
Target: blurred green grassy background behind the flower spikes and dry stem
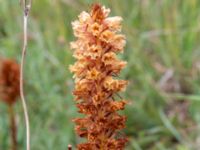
<point>163,55</point>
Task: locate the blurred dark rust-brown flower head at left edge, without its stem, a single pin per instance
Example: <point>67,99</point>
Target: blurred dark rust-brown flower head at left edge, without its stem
<point>9,81</point>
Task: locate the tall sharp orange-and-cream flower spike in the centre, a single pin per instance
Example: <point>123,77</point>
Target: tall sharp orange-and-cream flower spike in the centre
<point>98,41</point>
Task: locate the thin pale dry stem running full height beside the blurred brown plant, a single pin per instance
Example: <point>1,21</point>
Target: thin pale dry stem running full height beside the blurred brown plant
<point>27,6</point>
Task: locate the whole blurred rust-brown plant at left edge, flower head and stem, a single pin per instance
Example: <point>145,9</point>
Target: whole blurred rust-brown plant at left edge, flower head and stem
<point>9,92</point>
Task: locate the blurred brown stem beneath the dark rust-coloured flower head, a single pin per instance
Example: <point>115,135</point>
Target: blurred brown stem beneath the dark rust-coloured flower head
<point>13,128</point>
